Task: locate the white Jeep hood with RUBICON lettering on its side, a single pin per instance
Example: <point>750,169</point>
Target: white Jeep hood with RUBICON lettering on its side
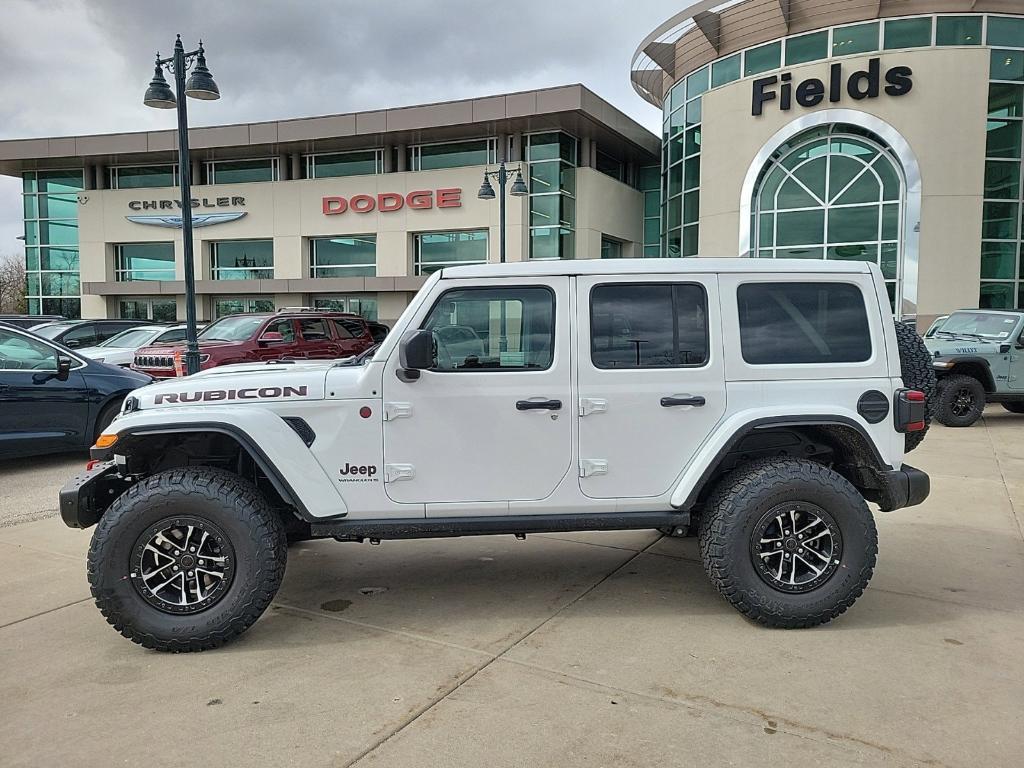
<point>247,383</point>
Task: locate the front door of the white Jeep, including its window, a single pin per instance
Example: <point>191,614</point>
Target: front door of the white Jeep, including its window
<point>493,420</point>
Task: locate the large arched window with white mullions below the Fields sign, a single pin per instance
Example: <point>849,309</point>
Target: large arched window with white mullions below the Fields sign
<point>835,192</point>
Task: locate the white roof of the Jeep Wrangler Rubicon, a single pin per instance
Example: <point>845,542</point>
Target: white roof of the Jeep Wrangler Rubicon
<point>654,267</point>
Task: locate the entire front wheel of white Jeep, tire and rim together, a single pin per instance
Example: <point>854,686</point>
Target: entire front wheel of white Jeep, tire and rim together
<point>214,536</point>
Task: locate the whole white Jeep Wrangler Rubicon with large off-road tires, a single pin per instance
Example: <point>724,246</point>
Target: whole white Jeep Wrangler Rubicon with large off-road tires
<point>758,402</point>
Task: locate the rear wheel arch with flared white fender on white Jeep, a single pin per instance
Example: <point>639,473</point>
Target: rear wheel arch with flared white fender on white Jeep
<point>826,439</point>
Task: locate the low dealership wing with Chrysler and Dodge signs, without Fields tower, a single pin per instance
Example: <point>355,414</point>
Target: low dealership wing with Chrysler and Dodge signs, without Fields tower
<point>346,212</point>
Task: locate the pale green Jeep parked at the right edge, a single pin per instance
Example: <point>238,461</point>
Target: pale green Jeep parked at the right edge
<point>978,357</point>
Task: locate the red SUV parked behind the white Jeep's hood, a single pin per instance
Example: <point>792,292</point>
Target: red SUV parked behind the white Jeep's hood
<point>287,334</point>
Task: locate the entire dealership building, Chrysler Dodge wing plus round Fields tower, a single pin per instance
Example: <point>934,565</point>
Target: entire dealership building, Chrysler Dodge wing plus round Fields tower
<point>889,132</point>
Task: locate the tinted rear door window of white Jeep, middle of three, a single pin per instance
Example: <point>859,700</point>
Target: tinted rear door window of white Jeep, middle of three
<point>645,325</point>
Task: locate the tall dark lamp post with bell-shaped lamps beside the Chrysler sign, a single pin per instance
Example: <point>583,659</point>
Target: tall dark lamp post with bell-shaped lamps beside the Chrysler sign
<point>160,96</point>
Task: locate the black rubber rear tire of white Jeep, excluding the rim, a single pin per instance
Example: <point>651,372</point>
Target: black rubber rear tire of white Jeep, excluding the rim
<point>730,522</point>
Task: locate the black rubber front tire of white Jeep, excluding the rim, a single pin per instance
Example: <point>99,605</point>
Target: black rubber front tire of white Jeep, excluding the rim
<point>219,497</point>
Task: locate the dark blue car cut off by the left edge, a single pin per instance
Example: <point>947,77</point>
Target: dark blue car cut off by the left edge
<point>53,399</point>
